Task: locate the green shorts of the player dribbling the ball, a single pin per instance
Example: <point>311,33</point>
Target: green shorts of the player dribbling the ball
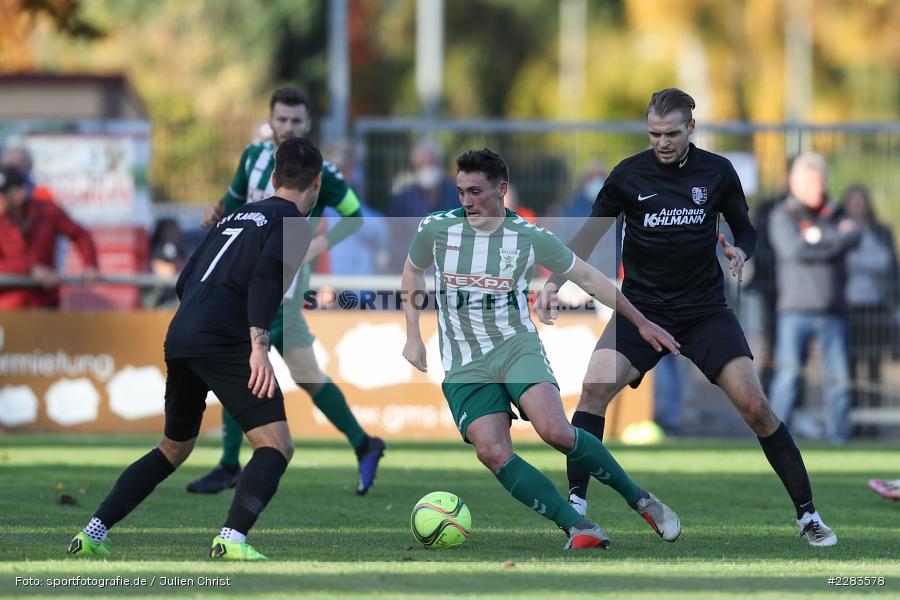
<point>497,380</point>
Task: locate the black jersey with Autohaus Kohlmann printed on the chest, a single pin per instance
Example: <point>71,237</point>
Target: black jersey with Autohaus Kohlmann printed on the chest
<point>671,226</point>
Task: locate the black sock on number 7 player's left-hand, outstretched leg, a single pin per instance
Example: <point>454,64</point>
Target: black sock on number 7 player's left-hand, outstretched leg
<point>133,486</point>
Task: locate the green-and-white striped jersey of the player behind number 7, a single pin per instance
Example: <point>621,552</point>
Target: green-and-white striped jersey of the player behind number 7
<point>252,182</point>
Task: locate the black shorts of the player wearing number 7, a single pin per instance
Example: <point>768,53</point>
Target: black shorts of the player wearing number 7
<point>190,379</point>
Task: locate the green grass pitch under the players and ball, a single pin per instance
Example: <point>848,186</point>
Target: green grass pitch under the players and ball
<point>739,538</point>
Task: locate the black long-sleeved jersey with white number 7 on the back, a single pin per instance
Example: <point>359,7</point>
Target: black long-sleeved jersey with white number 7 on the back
<point>236,279</point>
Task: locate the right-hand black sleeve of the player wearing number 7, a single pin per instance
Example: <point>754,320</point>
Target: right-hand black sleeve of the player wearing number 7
<point>285,247</point>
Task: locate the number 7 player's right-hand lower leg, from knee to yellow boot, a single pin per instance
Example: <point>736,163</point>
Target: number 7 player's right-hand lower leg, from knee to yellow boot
<point>273,449</point>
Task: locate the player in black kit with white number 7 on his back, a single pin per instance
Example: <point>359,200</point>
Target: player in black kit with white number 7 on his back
<point>219,340</point>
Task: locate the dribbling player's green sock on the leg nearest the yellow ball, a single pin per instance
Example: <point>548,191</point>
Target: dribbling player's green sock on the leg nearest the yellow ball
<point>532,488</point>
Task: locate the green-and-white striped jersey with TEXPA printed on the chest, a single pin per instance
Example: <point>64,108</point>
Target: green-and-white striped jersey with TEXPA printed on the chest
<point>482,277</point>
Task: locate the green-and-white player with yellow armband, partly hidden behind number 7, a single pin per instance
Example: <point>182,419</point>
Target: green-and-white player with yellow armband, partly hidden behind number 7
<point>289,116</point>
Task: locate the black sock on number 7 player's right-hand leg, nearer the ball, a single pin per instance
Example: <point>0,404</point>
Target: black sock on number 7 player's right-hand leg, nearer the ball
<point>255,488</point>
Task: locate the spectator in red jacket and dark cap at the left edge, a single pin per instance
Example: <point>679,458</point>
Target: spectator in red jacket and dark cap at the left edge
<point>39,223</point>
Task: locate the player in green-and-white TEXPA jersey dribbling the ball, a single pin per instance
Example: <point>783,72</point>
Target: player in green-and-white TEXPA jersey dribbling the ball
<point>484,257</point>
